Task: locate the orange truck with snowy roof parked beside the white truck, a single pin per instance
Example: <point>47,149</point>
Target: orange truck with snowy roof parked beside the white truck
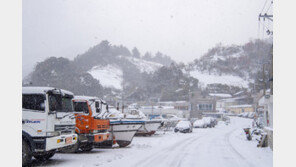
<point>90,128</point>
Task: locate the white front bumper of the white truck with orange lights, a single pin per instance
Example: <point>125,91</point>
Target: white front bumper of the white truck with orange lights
<point>60,141</point>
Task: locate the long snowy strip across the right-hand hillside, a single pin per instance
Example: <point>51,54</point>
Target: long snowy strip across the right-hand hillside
<point>205,78</point>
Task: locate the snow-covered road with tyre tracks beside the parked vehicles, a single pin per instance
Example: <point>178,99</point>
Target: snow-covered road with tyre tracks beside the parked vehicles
<point>222,146</point>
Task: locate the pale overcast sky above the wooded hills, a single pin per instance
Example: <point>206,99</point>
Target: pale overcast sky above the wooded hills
<point>182,29</point>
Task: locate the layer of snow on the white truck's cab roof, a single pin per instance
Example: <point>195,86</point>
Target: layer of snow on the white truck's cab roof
<point>42,90</point>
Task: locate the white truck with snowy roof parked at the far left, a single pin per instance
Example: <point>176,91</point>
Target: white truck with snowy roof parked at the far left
<point>48,122</point>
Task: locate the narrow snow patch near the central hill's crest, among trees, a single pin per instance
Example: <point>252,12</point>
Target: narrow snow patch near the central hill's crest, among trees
<point>143,65</point>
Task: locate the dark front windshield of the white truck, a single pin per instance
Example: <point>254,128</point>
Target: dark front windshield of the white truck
<point>60,103</point>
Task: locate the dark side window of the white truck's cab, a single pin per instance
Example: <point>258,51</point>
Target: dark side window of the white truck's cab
<point>34,102</point>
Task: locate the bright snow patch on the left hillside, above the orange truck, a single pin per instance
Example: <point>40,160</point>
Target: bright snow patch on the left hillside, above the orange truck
<point>109,76</point>
